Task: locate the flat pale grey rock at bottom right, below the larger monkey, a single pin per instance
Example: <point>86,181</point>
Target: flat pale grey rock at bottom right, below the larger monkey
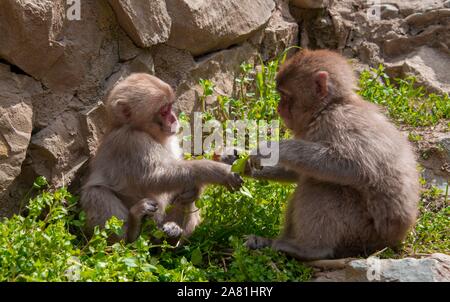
<point>430,269</point>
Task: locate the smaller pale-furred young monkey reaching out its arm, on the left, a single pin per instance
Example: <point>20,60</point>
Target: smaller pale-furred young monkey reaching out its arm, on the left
<point>138,169</point>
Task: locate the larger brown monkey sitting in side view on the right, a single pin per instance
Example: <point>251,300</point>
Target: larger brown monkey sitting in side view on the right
<point>357,180</point>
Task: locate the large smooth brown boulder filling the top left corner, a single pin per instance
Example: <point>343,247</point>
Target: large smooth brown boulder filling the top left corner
<point>62,53</point>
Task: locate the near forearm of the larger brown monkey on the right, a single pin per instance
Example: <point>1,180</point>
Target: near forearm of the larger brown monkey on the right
<point>321,162</point>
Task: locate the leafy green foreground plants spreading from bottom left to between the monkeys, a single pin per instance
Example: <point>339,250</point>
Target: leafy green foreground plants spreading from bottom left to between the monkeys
<point>47,243</point>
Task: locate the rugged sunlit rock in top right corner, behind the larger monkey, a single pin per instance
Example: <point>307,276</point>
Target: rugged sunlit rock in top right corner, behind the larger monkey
<point>409,38</point>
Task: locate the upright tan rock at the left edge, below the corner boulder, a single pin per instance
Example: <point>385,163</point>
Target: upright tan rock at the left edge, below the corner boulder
<point>16,93</point>
